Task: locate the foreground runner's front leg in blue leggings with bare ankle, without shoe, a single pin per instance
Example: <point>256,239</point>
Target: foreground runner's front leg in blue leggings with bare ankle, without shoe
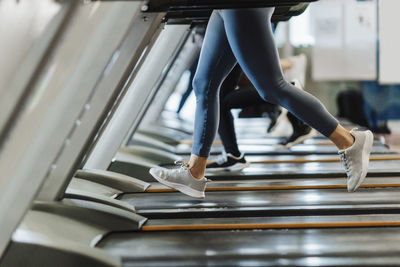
<point>215,63</point>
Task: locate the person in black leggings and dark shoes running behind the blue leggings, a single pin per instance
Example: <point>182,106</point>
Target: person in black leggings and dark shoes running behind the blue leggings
<point>247,96</point>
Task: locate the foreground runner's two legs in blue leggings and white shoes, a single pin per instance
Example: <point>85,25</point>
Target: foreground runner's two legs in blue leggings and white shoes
<point>245,36</point>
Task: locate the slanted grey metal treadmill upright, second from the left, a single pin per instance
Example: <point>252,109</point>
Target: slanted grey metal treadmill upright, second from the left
<point>122,65</point>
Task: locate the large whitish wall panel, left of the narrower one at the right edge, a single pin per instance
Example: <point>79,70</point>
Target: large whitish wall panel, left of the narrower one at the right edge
<point>345,34</point>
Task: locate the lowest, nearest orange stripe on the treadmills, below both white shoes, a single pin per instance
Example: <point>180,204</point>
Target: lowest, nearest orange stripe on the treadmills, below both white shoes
<point>267,226</point>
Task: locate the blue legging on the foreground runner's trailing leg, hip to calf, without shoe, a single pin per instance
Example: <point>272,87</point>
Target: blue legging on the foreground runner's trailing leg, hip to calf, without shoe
<point>250,36</point>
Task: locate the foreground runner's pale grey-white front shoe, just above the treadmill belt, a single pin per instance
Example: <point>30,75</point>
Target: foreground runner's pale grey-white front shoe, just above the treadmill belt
<point>180,179</point>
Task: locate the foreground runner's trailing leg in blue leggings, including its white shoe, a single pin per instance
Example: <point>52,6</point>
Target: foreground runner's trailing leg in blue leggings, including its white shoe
<point>250,36</point>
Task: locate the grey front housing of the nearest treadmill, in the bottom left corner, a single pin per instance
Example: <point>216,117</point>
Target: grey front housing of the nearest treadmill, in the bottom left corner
<point>65,235</point>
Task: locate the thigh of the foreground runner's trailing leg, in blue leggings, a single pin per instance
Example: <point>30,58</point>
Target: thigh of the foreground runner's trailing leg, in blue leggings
<point>250,36</point>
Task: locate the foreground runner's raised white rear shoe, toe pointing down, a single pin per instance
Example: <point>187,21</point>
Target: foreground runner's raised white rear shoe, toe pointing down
<point>356,158</point>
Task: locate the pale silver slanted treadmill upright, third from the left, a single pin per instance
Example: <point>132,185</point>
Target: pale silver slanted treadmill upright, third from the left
<point>144,87</point>
